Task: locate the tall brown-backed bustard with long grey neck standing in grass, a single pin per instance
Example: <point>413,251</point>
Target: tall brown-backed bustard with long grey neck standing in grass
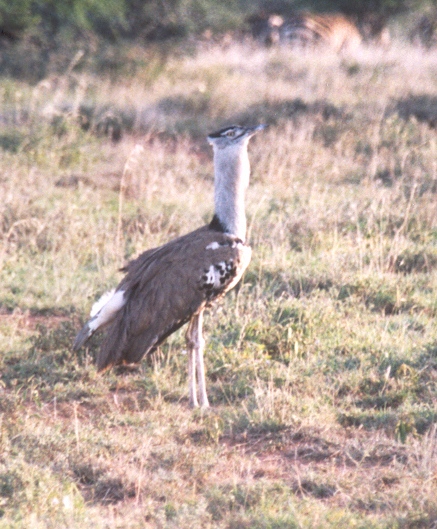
<point>171,285</point>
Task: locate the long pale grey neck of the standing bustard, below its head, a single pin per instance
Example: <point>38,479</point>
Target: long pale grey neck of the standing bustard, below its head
<point>231,179</point>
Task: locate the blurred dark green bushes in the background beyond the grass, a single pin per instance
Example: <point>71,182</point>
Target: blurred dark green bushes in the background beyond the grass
<point>32,30</point>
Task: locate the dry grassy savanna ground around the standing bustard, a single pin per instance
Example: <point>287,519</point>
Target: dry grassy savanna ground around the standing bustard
<point>322,365</point>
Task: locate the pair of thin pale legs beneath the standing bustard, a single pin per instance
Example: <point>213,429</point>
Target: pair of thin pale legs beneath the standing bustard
<point>195,346</point>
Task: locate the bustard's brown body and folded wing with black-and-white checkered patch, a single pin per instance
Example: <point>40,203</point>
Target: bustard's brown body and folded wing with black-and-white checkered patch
<point>165,287</point>
